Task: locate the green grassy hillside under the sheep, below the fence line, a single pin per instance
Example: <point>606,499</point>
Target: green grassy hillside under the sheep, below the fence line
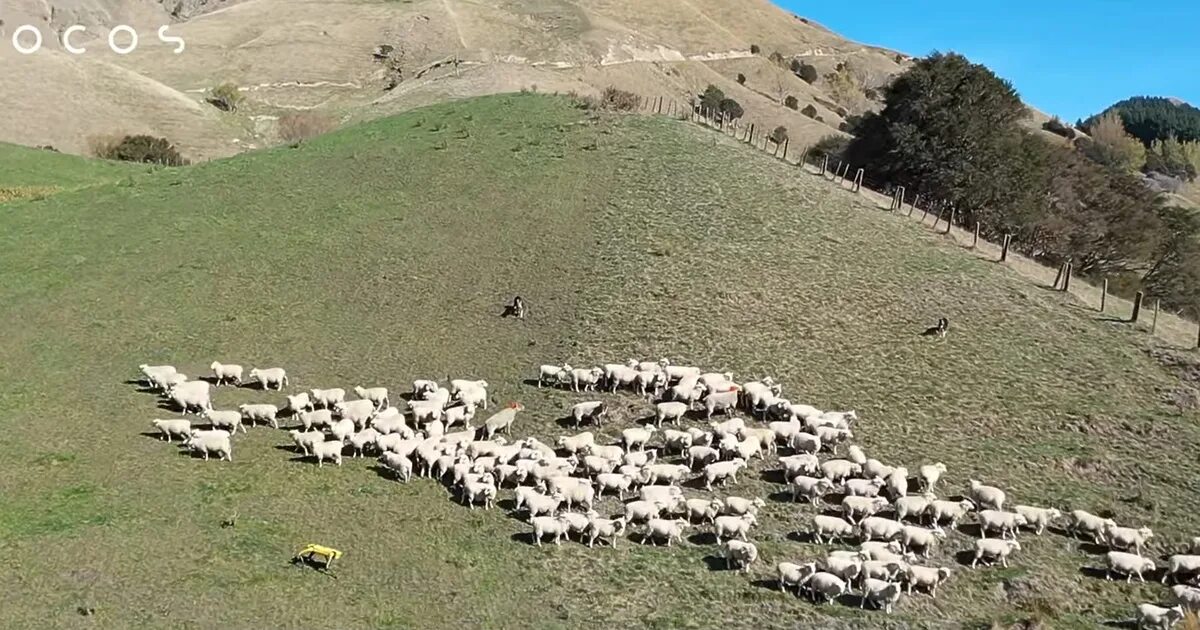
<point>383,253</point>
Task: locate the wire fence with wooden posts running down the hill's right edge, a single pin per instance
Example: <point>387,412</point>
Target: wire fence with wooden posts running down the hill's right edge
<point>946,220</point>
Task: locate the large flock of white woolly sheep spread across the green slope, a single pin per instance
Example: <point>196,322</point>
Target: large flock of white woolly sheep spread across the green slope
<point>557,485</point>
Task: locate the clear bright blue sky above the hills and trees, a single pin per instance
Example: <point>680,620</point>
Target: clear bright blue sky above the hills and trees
<point>1070,59</point>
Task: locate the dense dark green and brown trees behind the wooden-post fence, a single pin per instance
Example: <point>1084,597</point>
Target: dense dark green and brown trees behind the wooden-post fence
<point>950,131</point>
